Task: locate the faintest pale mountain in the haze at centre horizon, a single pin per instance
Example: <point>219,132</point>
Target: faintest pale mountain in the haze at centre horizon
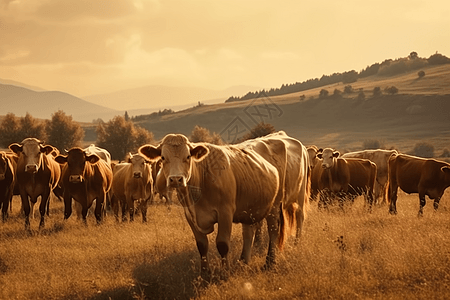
<point>155,97</point>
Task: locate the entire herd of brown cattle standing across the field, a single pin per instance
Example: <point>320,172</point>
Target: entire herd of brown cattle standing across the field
<point>271,178</point>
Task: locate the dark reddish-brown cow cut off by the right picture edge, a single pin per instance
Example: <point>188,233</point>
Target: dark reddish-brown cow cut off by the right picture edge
<point>427,177</point>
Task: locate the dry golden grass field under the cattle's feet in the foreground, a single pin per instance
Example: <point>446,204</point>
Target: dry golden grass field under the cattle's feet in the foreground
<point>351,255</point>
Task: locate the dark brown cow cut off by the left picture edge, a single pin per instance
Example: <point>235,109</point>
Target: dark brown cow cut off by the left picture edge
<point>7,175</point>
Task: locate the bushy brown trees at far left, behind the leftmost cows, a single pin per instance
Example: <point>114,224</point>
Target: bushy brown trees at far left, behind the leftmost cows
<point>61,131</point>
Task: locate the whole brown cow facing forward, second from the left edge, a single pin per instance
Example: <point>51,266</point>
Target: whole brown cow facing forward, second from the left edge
<point>37,175</point>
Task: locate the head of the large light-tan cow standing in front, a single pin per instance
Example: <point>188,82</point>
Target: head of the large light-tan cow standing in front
<point>177,155</point>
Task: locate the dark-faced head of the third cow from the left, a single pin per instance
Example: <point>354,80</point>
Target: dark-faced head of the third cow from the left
<point>76,160</point>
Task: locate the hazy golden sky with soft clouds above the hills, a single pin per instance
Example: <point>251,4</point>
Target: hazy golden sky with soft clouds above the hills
<point>87,47</point>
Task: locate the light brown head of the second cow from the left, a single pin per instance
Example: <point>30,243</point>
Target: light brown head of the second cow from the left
<point>30,151</point>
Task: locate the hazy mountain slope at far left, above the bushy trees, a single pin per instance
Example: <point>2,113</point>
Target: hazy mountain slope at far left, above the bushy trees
<point>19,100</point>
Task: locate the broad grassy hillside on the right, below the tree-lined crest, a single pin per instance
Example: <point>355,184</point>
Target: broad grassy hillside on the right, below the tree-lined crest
<point>419,112</point>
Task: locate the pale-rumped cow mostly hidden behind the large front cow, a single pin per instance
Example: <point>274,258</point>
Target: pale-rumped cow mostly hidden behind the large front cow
<point>291,159</point>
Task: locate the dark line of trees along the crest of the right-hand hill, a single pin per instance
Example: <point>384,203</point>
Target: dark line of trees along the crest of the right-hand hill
<point>388,67</point>
